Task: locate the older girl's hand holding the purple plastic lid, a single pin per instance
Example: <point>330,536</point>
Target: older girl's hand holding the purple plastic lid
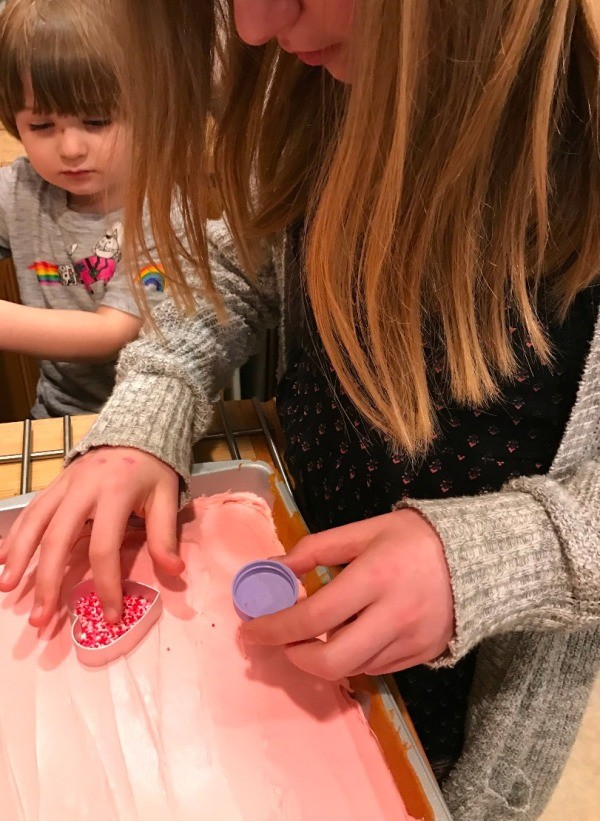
<point>389,609</point>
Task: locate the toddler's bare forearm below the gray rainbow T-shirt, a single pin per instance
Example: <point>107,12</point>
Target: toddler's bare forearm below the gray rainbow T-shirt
<point>65,335</point>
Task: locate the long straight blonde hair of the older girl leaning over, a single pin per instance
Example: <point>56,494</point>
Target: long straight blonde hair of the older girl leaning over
<point>458,170</point>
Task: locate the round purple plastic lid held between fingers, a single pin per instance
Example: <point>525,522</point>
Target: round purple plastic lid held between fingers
<point>262,587</point>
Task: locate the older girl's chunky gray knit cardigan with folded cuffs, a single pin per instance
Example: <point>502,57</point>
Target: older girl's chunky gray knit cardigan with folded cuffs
<point>525,562</point>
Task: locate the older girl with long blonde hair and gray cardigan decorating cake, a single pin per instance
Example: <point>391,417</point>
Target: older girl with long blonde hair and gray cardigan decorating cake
<point>417,194</point>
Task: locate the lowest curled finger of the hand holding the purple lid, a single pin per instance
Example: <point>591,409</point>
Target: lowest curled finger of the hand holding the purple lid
<point>349,649</point>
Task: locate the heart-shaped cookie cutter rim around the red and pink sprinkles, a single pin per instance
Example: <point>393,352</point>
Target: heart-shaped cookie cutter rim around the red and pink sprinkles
<point>99,656</point>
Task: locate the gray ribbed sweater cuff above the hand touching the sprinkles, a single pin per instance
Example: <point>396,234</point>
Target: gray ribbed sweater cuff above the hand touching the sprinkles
<point>163,428</point>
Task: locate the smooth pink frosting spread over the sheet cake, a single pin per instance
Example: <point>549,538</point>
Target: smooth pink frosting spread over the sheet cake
<point>188,725</point>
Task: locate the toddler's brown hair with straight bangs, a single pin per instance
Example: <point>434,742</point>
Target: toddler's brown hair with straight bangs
<point>67,50</point>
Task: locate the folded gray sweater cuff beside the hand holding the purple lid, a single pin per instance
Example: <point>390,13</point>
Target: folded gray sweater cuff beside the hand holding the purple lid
<point>505,565</point>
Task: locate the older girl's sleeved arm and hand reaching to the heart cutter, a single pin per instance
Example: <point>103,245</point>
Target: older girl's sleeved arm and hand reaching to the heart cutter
<point>161,404</point>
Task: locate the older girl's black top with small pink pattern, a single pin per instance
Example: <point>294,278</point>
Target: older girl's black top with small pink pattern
<point>344,472</point>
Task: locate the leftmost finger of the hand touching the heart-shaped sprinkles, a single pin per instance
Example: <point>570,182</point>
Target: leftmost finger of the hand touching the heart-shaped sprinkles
<point>24,536</point>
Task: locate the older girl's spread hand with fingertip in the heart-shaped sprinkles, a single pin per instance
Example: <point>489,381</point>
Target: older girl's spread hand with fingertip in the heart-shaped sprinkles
<point>107,485</point>
